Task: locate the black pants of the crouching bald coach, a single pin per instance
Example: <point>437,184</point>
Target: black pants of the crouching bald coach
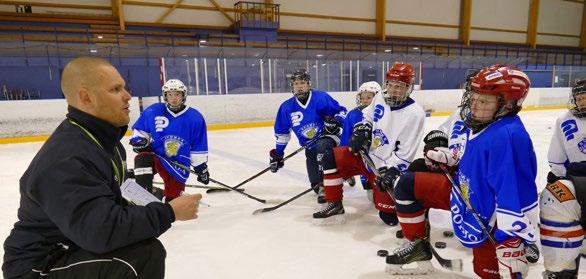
<point>145,259</point>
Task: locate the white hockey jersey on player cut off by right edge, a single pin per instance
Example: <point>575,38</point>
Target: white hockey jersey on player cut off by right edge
<point>568,143</point>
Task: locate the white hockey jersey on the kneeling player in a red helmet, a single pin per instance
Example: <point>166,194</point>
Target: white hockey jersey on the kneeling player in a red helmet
<point>396,132</point>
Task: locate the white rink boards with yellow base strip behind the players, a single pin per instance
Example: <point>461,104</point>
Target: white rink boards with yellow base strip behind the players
<point>22,121</point>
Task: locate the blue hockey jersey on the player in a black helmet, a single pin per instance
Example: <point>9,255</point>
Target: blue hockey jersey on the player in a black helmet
<point>306,121</point>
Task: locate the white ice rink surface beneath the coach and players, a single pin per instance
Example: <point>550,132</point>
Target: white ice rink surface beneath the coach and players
<point>227,241</point>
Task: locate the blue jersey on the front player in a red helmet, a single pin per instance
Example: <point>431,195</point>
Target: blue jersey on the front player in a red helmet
<point>497,175</point>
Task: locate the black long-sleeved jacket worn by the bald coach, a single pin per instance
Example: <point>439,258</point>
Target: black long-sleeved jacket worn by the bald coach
<point>70,193</point>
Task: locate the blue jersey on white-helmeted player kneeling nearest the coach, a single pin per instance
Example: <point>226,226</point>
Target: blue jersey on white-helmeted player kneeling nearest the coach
<point>180,137</point>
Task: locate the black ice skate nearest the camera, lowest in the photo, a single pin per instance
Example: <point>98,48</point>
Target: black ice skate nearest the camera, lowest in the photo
<point>417,251</point>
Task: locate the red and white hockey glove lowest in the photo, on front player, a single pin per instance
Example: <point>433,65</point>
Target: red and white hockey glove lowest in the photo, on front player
<point>511,257</point>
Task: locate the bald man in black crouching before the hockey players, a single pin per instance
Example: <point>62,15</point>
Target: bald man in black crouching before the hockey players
<point>72,220</point>
